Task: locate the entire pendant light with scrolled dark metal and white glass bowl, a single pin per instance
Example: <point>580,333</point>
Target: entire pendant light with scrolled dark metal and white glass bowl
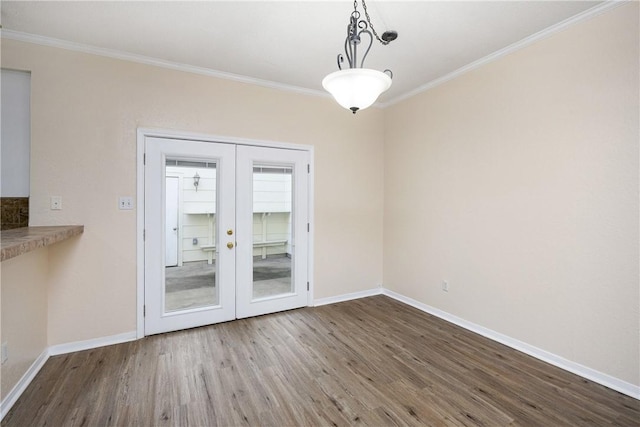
<point>357,88</point>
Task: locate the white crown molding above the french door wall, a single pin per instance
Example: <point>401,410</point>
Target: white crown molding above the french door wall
<point>147,60</point>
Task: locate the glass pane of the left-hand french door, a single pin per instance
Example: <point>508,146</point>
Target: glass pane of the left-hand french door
<point>190,235</point>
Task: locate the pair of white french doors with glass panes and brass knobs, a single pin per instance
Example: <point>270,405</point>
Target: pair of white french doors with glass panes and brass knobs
<point>226,232</point>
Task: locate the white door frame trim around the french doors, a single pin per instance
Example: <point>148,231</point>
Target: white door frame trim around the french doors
<point>142,134</point>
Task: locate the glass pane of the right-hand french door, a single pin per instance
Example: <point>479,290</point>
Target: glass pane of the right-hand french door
<point>272,230</point>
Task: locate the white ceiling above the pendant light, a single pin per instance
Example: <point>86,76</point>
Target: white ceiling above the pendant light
<point>294,43</point>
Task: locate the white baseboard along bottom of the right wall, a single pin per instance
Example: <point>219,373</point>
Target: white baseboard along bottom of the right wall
<point>553,359</point>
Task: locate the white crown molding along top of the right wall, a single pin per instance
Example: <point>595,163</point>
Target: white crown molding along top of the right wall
<point>527,41</point>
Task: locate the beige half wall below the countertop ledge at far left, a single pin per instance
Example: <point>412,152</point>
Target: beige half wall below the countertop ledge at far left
<point>24,314</point>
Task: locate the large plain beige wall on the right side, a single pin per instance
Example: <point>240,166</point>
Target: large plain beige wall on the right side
<point>518,183</point>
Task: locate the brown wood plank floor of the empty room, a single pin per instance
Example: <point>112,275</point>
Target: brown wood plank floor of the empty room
<point>372,361</point>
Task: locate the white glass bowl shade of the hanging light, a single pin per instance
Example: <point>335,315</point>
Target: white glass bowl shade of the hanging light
<point>356,88</point>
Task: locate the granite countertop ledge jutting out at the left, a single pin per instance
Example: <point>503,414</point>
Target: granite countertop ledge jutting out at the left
<point>22,240</point>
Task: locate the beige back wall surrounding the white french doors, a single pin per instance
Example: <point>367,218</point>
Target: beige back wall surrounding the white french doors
<point>85,112</point>
